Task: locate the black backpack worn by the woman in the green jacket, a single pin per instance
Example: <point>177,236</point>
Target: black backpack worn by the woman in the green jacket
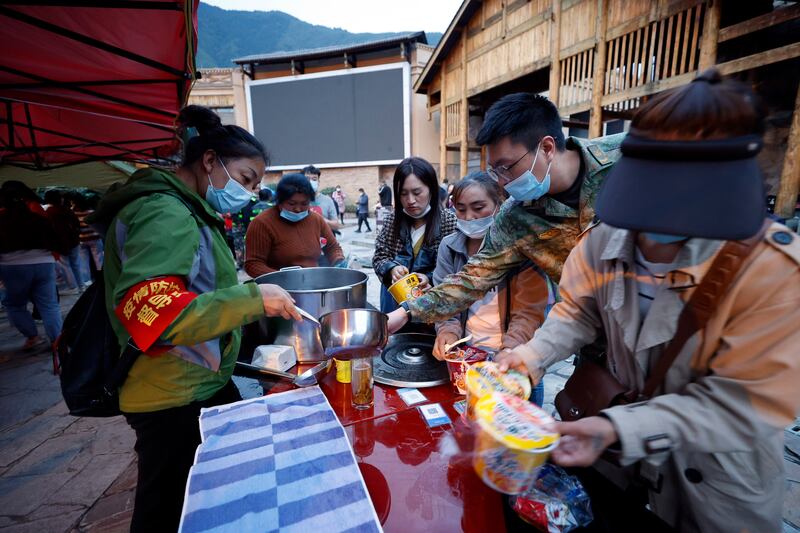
<point>87,356</point>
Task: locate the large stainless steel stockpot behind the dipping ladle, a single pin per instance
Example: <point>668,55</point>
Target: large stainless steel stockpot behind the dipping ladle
<point>318,291</point>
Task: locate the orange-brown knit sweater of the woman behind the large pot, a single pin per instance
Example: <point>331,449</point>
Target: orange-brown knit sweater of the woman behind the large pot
<point>273,243</point>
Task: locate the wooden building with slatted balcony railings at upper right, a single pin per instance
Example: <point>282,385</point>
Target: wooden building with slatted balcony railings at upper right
<point>598,60</point>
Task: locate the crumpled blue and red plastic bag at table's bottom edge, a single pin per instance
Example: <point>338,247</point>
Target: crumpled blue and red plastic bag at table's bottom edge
<point>557,502</point>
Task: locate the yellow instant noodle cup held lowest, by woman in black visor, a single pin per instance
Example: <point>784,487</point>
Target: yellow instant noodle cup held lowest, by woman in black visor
<point>511,443</point>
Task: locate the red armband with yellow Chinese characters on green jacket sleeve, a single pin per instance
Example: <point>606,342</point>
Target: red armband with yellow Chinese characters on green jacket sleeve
<point>149,307</point>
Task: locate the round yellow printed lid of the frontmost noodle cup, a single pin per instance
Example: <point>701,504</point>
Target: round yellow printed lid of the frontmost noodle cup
<point>516,423</point>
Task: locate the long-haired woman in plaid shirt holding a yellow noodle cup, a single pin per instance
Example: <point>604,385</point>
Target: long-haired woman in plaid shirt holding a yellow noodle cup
<point>410,237</point>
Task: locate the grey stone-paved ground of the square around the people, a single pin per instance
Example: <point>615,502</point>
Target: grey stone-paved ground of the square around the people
<point>64,474</point>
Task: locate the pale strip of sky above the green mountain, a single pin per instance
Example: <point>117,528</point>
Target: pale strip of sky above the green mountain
<point>359,16</point>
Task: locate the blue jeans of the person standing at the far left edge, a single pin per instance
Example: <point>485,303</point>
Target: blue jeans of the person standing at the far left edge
<point>32,283</point>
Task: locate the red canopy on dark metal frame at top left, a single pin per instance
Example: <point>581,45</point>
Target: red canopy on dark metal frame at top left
<point>93,79</point>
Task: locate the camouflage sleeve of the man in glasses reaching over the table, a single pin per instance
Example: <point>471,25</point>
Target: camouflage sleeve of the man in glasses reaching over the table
<point>499,254</point>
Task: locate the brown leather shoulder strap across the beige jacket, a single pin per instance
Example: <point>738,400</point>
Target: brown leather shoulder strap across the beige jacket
<point>704,301</point>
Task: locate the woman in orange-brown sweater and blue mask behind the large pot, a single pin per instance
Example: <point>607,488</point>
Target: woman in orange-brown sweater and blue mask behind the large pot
<point>290,234</point>
